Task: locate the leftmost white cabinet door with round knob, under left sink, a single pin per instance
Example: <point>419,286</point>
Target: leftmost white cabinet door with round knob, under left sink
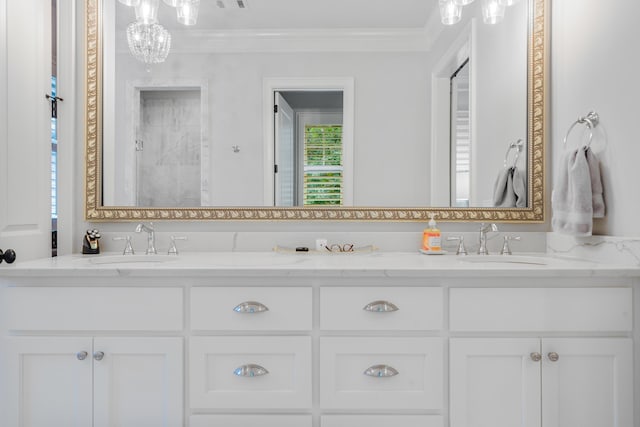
<point>48,385</point>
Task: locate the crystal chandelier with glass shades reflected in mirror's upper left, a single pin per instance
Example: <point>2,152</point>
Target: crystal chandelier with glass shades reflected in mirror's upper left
<point>149,42</point>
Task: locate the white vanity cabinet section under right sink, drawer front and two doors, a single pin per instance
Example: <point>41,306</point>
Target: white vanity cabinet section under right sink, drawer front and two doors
<point>558,378</point>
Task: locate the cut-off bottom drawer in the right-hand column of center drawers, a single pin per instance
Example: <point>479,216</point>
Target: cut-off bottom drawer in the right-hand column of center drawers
<point>381,421</point>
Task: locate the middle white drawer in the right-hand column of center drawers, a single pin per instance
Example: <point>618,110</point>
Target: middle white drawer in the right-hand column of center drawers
<point>417,384</point>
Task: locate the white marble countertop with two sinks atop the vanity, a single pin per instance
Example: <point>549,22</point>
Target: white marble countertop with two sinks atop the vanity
<point>263,264</point>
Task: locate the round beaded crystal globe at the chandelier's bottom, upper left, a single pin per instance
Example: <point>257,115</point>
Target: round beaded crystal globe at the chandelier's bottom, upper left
<point>148,43</point>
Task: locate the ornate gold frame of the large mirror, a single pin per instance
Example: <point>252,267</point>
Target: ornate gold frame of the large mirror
<point>536,121</point>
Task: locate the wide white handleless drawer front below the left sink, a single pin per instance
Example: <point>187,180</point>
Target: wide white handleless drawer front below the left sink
<point>94,309</point>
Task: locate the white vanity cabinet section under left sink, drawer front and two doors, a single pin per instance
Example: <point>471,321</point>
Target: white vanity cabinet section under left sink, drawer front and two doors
<point>83,357</point>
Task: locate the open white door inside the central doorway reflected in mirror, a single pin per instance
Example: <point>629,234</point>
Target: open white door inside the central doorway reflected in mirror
<point>285,153</point>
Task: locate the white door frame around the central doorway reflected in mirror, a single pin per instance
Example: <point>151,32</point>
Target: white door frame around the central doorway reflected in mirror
<point>277,84</point>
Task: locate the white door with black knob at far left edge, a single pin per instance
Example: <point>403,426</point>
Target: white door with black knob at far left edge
<point>25,127</point>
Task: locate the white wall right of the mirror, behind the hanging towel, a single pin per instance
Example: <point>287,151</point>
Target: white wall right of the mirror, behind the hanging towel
<point>595,66</point>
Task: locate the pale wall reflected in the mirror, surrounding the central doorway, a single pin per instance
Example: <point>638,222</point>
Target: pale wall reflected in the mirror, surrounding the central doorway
<point>391,118</point>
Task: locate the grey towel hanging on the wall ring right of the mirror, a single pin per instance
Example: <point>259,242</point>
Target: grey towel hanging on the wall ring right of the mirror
<point>577,196</point>
